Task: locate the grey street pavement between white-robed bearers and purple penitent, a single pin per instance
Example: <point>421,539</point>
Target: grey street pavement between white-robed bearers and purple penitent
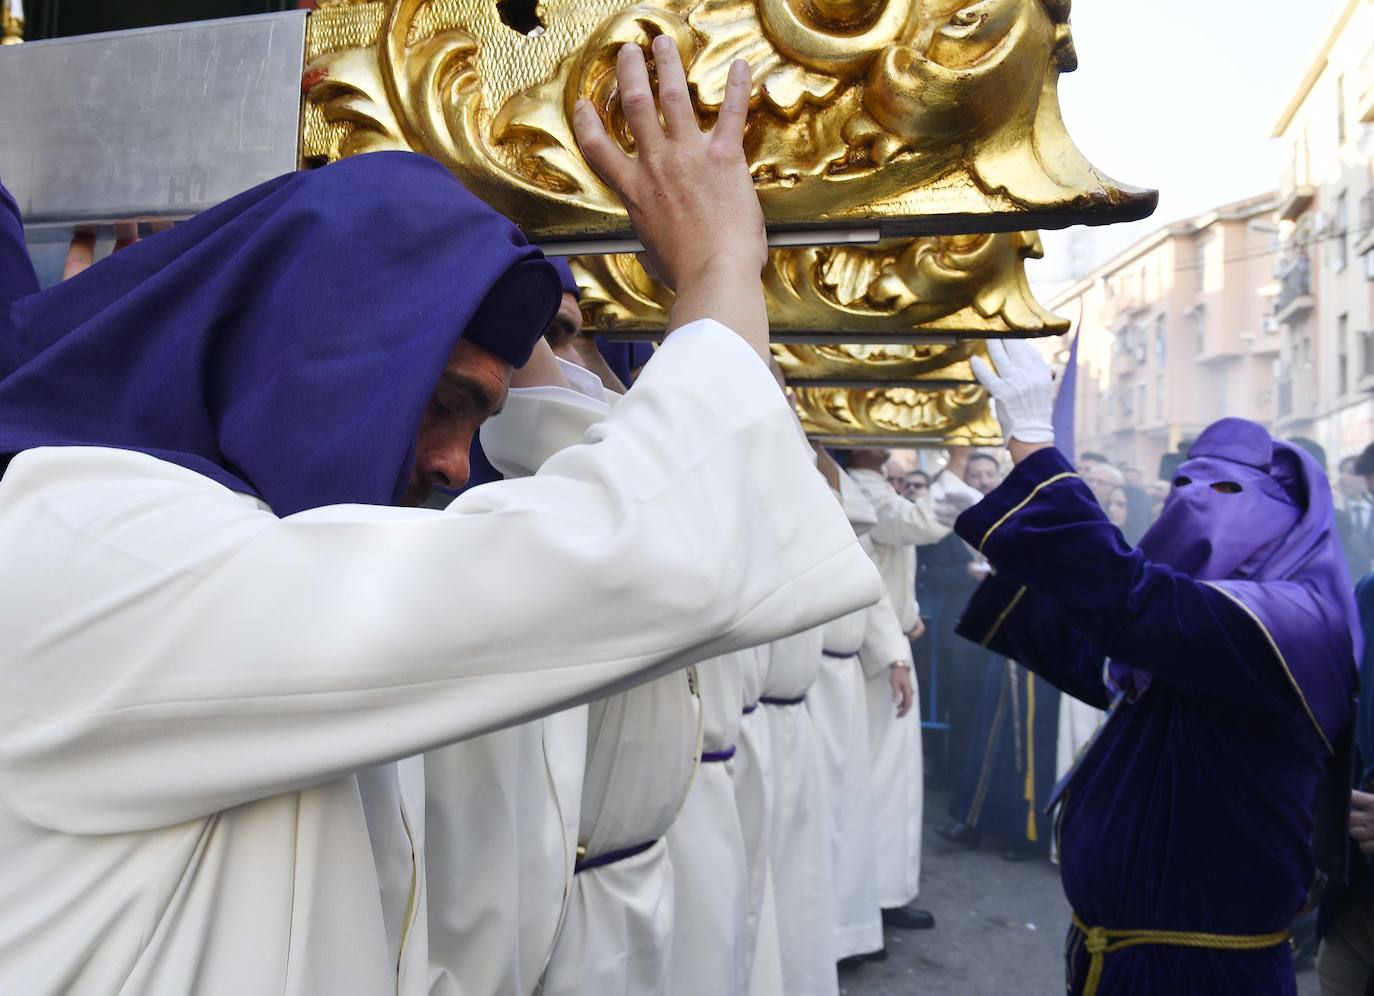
<point>1000,929</point>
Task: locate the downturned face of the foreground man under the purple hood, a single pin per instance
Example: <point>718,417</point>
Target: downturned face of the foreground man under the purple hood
<point>471,391</point>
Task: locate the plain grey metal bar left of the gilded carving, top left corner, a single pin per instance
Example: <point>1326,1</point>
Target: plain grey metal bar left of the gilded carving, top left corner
<point>156,123</point>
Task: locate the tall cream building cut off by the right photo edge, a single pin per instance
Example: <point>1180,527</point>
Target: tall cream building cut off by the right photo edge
<point>1325,271</point>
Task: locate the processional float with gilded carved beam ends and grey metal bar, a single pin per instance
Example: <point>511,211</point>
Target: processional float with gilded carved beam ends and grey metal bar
<point>905,153</point>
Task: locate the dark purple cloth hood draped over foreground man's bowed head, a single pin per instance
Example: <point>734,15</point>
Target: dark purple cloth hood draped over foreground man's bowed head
<point>285,343</point>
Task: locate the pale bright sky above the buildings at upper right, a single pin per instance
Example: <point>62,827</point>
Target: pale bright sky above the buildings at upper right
<point>1180,95</point>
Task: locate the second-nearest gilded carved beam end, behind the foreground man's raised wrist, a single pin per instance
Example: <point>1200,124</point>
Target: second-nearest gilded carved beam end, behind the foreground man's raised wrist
<point>899,292</point>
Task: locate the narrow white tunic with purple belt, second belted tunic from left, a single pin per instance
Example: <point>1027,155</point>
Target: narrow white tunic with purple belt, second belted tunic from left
<point>707,847</point>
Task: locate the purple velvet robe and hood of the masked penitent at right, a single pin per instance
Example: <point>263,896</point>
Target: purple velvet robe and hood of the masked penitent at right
<point>1233,674</point>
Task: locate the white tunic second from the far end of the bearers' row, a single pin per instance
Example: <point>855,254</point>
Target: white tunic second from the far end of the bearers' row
<point>839,708</point>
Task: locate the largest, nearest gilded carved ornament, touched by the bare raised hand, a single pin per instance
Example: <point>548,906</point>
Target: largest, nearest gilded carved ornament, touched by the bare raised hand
<point>921,116</point>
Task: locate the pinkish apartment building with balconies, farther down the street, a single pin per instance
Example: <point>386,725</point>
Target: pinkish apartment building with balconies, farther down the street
<point>1175,333</point>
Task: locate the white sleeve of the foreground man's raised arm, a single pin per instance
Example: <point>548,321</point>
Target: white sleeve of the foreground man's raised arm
<point>174,652</point>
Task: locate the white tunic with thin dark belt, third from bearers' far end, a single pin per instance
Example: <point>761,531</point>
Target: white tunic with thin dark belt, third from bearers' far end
<point>799,839</point>
